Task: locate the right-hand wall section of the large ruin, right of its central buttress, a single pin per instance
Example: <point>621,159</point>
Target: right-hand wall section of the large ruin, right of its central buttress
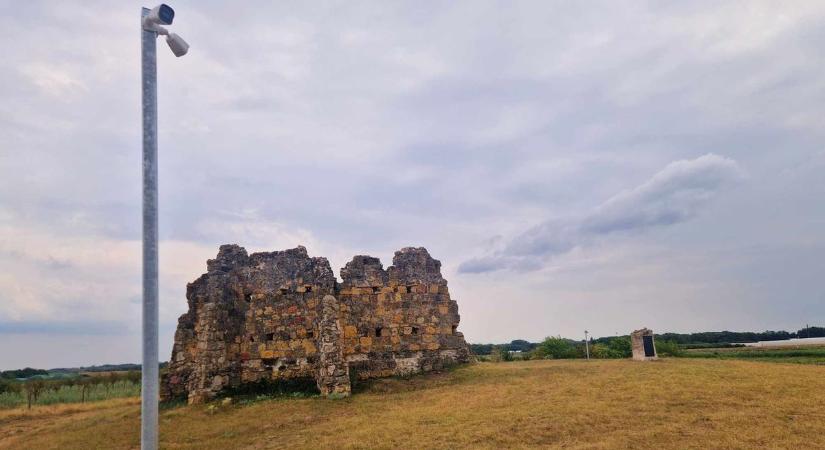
<point>398,321</point>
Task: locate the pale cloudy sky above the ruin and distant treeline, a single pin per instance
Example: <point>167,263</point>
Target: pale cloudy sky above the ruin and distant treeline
<point>604,166</point>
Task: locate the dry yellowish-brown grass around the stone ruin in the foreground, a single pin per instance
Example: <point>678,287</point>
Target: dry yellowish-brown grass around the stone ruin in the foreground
<point>672,403</point>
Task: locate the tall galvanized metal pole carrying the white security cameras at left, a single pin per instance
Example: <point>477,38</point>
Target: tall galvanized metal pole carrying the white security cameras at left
<point>149,372</point>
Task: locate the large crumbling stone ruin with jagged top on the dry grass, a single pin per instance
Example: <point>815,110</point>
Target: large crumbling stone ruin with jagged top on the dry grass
<point>281,316</point>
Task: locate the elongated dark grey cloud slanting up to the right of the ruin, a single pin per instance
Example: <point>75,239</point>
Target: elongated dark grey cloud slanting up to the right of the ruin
<point>675,194</point>
